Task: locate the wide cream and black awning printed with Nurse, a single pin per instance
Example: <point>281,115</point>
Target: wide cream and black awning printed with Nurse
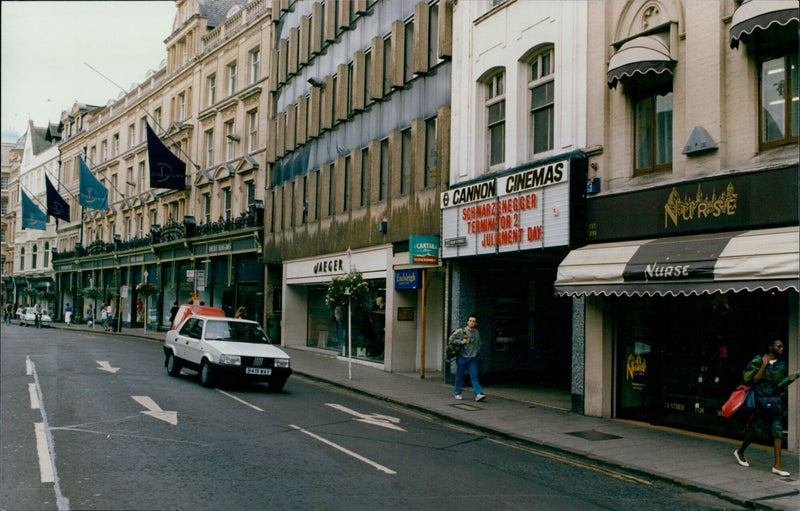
<point>763,259</point>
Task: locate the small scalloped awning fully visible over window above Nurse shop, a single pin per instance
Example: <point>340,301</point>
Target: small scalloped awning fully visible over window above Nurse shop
<point>644,55</point>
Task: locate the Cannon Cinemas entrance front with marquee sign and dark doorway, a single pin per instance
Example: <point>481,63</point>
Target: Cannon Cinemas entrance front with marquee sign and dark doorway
<point>503,237</point>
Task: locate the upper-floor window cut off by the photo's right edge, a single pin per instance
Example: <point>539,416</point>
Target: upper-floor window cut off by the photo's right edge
<point>778,81</point>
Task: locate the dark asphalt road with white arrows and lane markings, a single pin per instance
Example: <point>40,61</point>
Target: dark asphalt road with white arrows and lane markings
<point>91,421</point>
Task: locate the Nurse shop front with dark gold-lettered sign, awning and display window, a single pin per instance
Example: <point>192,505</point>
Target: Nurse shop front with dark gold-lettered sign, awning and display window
<point>677,302</point>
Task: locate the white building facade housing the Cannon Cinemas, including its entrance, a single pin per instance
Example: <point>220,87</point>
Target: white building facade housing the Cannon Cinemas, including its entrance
<point>517,179</point>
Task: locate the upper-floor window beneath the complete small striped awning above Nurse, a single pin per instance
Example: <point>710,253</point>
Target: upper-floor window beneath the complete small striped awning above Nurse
<point>653,133</point>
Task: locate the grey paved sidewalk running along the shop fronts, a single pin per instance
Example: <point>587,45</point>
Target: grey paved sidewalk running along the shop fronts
<point>695,461</point>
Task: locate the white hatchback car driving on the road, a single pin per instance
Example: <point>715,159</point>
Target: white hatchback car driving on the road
<point>222,349</point>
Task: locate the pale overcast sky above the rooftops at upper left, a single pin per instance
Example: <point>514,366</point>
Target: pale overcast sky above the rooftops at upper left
<point>46,46</point>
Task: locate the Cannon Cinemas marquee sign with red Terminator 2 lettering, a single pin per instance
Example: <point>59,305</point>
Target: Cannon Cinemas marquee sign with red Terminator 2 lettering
<point>521,211</point>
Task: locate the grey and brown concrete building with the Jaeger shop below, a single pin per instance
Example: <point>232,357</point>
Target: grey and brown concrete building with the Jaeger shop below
<point>361,95</point>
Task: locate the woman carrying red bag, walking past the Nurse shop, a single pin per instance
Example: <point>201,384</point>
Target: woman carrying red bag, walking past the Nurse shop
<point>764,374</point>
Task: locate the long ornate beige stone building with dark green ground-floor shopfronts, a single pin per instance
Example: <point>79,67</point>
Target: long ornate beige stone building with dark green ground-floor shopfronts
<point>153,247</point>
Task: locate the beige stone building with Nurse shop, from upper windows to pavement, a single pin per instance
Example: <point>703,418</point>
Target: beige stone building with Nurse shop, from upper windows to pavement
<point>691,266</point>
